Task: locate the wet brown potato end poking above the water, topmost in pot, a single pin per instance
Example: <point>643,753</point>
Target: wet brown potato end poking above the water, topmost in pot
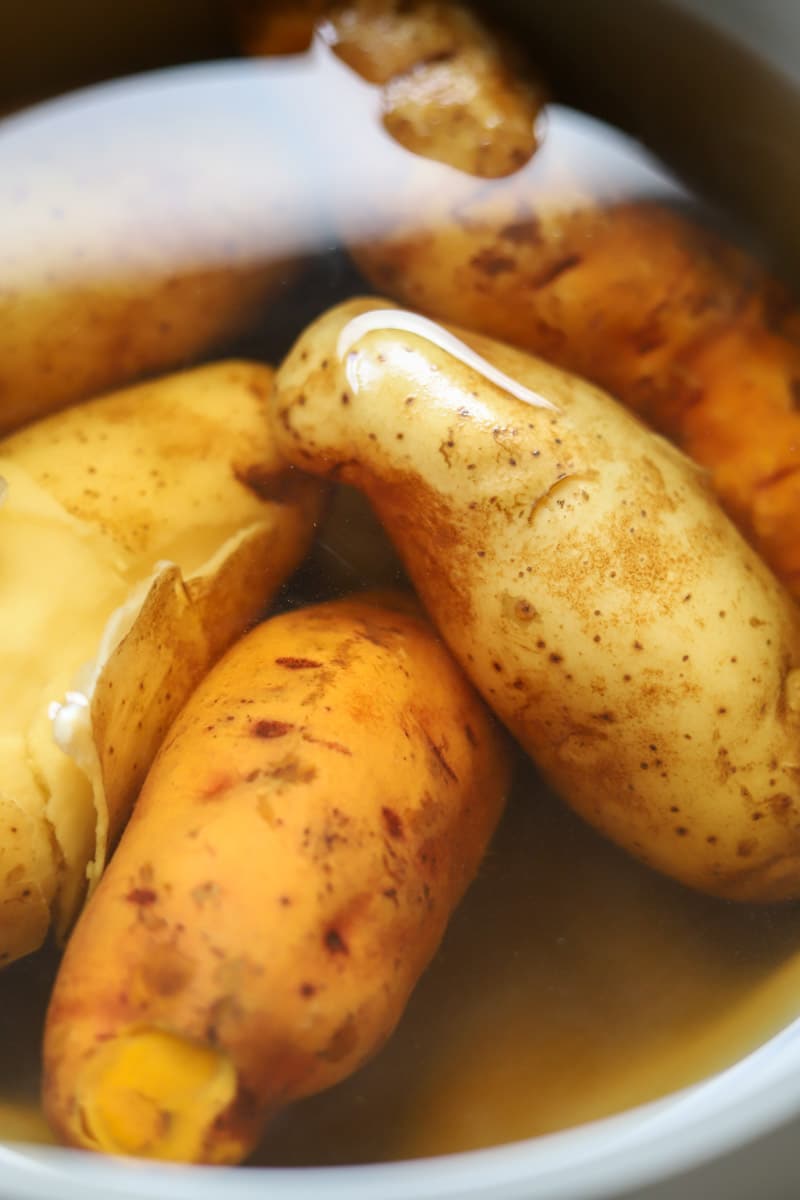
<point>449,87</point>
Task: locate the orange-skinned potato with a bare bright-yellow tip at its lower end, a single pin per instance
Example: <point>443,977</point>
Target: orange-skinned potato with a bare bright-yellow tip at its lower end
<point>314,817</point>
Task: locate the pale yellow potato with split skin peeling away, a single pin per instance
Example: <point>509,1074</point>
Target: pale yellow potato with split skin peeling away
<point>140,535</point>
